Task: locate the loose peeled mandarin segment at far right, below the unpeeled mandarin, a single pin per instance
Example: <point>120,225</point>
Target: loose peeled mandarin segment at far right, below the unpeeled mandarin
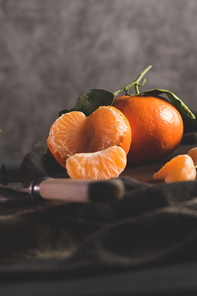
<point>180,168</point>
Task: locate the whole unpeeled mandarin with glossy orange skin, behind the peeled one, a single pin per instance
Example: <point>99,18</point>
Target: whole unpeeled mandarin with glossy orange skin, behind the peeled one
<point>156,126</point>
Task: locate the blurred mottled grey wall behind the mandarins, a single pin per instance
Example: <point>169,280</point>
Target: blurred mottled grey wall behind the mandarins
<point>51,51</point>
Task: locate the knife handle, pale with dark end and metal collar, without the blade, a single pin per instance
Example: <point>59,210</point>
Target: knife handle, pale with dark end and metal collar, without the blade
<point>70,190</point>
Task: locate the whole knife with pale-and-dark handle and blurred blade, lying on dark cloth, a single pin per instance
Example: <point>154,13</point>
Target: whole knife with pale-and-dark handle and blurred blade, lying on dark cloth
<point>65,190</point>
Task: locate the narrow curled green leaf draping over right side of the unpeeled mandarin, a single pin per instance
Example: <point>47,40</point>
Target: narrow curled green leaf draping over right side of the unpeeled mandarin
<point>178,104</point>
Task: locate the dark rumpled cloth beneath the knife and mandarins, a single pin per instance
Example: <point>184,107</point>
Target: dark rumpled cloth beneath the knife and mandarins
<point>152,225</point>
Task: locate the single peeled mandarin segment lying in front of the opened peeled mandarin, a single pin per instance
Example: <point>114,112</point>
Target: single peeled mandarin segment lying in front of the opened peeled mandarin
<point>100,165</point>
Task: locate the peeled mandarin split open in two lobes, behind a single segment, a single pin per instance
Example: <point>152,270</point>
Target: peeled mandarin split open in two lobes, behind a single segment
<point>73,133</point>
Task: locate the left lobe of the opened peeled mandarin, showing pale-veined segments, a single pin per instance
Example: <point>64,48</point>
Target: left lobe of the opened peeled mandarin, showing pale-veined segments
<point>65,136</point>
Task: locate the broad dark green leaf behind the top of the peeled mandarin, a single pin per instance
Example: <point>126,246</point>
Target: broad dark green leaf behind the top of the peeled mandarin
<point>90,101</point>
